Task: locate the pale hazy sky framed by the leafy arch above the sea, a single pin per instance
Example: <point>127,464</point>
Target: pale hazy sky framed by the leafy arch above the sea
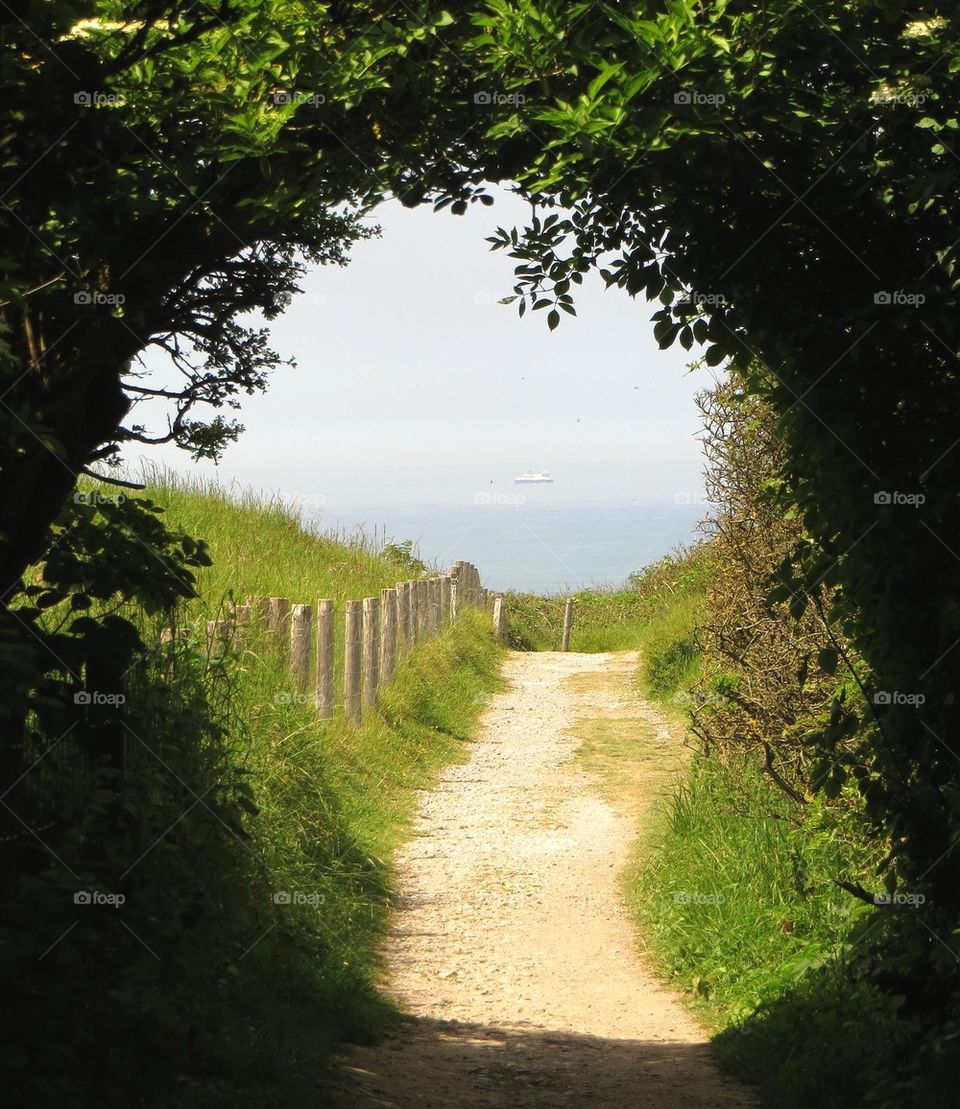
<point>406,358</point>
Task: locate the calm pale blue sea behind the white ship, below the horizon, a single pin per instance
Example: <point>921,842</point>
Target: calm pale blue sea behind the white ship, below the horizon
<point>595,525</point>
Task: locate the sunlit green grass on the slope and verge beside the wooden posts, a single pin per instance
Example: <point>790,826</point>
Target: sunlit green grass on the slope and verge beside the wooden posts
<point>331,799</point>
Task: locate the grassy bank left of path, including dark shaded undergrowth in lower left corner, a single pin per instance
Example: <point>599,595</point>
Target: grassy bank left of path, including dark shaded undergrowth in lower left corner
<point>249,840</point>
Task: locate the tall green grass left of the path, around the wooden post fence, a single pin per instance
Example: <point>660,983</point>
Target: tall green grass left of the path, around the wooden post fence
<point>272,831</point>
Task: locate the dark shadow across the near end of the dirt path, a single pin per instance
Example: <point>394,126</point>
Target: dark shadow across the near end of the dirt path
<point>454,1065</point>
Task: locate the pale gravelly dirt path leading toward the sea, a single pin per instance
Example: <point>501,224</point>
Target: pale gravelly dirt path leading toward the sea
<point>512,945</point>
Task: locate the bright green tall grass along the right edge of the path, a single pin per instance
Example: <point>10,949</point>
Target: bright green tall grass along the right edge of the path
<point>736,897</point>
